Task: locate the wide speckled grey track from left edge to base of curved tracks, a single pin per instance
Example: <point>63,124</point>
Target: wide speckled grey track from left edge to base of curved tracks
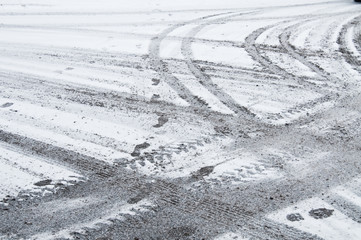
<point>60,91</point>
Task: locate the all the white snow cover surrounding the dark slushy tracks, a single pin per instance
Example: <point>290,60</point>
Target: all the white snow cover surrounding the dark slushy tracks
<point>106,47</point>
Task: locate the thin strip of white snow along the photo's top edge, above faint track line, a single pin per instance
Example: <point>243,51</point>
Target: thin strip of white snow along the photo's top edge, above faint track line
<point>140,5</point>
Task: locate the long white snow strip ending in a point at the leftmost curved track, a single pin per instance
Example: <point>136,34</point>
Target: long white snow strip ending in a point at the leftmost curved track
<point>122,80</point>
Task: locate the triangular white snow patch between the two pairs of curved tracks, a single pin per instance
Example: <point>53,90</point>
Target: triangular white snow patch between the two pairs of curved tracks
<point>265,99</point>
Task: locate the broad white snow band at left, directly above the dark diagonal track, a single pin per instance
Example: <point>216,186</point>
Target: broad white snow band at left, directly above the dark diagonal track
<point>76,131</point>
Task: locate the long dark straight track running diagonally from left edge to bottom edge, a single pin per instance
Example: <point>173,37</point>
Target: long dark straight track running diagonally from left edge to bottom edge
<point>209,209</point>
